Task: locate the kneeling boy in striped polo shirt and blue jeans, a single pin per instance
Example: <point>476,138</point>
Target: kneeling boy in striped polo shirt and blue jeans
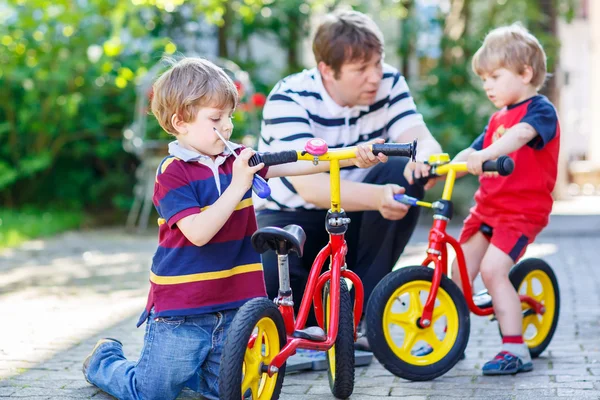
<point>205,267</point>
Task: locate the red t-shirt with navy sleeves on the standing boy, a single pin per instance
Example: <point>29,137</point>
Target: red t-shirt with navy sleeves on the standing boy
<point>524,198</point>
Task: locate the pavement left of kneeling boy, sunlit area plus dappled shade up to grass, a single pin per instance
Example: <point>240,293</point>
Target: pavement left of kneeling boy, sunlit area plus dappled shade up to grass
<point>58,292</point>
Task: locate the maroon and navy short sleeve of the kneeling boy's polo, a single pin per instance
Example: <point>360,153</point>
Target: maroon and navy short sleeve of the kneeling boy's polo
<point>174,196</point>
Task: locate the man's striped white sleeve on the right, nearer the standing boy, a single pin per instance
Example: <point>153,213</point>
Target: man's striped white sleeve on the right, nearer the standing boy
<point>402,111</point>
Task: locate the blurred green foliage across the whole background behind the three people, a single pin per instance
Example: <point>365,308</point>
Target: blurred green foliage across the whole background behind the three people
<point>69,70</point>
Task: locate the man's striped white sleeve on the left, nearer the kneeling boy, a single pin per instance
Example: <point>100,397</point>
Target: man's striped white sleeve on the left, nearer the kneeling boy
<point>285,124</point>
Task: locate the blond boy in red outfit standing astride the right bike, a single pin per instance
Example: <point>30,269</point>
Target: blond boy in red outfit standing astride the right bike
<point>510,211</point>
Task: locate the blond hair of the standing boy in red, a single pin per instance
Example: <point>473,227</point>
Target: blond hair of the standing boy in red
<point>511,47</point>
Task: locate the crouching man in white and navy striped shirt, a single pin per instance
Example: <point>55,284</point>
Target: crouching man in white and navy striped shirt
<point>351,97</point>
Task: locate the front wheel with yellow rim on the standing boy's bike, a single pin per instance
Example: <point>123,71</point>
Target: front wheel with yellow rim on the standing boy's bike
<point>399,342</point>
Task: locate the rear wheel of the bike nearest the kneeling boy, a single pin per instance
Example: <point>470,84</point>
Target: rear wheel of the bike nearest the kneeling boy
<point>243,367</point>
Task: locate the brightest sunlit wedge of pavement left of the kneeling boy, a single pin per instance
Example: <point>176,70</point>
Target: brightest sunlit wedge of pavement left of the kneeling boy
<point>43,324</point>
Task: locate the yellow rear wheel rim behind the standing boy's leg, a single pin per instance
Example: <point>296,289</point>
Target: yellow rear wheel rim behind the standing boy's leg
<point>538,286</point>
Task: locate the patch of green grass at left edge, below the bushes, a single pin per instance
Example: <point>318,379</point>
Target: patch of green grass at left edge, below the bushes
<point>17,226</point>
